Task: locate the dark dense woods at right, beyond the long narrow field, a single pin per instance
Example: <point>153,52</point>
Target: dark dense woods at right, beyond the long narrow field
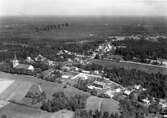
<point>142,49</point>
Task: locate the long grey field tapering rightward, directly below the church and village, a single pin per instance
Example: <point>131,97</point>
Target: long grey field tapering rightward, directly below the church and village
<point>49,87</point>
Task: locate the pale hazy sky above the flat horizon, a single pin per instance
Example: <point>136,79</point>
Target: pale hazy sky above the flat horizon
<point>84,7</point>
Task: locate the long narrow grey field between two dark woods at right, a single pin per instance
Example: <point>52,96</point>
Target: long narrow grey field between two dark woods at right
<point>129,66</point>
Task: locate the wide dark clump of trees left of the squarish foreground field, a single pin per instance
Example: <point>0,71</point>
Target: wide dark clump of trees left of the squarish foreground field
<point>60,101</point>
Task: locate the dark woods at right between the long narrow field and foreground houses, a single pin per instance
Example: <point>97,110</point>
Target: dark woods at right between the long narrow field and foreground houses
<point>156,84</point>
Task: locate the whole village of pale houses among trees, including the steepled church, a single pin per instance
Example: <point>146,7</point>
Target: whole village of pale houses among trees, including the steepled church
<point>71,73</point>
